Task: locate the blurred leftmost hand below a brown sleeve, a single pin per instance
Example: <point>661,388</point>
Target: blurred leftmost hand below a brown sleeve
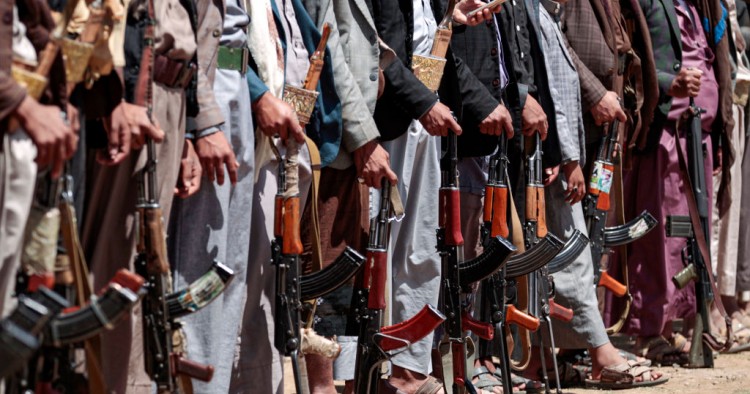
<point>55,141</point>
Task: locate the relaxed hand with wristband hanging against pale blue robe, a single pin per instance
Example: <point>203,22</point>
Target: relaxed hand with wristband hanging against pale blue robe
<point>214,152</point>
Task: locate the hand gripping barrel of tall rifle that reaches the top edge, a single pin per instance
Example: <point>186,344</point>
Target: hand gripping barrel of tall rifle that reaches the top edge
<point>127,128</point>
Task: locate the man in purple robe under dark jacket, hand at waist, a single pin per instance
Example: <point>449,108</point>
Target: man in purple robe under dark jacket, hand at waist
<point>687,66</point>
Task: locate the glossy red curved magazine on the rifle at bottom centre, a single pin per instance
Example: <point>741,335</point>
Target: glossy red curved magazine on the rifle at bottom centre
<point>411,330</point>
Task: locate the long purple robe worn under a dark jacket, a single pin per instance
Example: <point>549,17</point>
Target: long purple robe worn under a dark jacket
<point>656,184</point>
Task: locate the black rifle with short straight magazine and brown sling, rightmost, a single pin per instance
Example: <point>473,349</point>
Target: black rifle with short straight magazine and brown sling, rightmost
<point>696,254</point>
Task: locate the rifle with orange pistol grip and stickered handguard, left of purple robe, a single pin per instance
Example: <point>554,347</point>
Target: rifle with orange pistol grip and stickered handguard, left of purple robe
<point>595,208</point>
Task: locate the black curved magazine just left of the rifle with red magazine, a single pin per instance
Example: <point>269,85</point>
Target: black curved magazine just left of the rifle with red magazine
<point>332,277</point>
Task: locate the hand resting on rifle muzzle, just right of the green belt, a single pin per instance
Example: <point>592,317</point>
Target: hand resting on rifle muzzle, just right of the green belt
<point>276,117</point>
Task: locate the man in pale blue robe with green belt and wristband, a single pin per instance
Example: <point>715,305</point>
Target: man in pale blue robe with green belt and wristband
<point>215,223</point>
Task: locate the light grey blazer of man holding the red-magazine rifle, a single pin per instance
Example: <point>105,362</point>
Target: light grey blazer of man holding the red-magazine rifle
<point>354,47</point>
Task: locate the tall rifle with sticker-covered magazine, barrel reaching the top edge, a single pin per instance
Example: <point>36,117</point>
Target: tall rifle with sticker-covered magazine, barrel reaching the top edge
<point>163,362</point>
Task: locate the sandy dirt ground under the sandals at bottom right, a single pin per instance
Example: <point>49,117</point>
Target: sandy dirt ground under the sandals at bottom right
<point>731,375</point>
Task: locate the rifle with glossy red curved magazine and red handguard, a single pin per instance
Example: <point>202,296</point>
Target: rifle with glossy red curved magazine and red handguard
<point>368,304</point>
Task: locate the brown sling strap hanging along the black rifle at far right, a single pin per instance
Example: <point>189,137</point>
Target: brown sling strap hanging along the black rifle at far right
<point>701,240</point>
